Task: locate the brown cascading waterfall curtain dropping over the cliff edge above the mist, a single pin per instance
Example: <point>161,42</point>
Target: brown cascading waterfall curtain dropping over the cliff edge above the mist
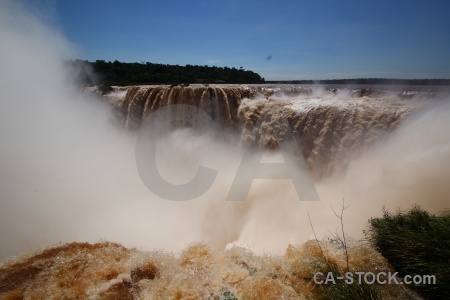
<point>330,125</point>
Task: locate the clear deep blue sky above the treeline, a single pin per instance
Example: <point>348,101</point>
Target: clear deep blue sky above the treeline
<point>311,39</point>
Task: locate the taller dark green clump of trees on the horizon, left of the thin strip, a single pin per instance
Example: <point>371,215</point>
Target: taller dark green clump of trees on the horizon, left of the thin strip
<point>105,73</point>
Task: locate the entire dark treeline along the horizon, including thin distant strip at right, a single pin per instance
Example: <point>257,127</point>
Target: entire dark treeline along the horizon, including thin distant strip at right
<point>103,73</point>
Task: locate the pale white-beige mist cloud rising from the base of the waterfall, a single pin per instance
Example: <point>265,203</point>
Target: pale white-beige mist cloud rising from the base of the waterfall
<point>68,173</point>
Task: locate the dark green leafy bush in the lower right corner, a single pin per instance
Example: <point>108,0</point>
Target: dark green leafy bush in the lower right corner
<point>416,243</point>
